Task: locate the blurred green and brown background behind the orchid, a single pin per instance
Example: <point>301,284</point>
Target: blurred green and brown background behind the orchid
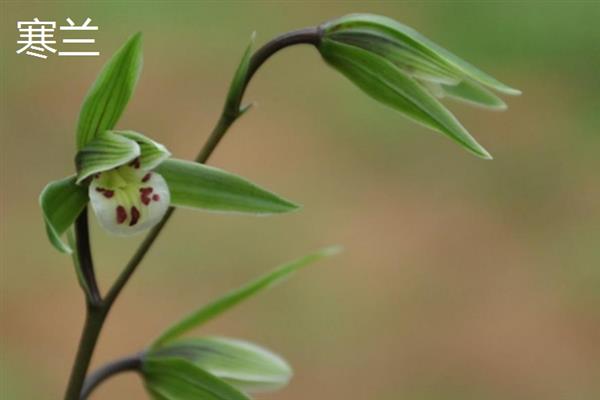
<point>461,278</point>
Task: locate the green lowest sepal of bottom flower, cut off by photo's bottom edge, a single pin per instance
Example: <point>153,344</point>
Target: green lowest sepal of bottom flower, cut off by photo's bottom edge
<point>177,379</point>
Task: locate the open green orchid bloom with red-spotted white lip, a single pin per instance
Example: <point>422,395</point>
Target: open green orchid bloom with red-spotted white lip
<point>130,180</point>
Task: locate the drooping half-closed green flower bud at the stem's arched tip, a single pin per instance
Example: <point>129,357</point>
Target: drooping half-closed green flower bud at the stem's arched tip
<point>401,68</point>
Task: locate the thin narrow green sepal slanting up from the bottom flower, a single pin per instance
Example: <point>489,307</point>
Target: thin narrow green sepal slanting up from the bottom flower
<point>235,297</point>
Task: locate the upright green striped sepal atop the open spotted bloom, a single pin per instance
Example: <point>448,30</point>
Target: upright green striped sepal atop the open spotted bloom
<point>108,97</point>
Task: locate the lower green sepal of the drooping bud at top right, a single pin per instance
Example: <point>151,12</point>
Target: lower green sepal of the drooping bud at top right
<point>385,82</point>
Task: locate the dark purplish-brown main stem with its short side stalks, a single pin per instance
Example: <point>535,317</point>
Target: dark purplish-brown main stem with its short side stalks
<point>98,309</point>
